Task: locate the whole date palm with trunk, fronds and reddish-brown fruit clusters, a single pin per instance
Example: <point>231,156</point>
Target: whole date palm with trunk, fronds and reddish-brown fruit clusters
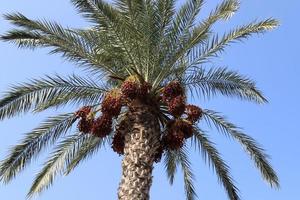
<point>143,59</point>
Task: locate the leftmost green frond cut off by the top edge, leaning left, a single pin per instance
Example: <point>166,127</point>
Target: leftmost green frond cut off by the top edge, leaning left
<point>110,20</point>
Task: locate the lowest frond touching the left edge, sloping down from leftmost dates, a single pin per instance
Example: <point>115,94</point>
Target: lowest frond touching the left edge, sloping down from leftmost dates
<point>33,143</point>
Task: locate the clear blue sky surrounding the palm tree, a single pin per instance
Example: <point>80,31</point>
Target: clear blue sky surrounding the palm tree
<point>270,59</point>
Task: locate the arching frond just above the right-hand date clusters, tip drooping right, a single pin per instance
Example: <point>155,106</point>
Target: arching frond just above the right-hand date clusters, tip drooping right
<point>222,81</point>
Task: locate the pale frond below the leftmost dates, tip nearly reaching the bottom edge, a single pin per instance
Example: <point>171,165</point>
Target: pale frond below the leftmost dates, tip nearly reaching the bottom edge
<point>56,163</point>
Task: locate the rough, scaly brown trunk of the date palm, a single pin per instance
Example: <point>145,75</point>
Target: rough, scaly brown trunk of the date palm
<point>141,143</point>
